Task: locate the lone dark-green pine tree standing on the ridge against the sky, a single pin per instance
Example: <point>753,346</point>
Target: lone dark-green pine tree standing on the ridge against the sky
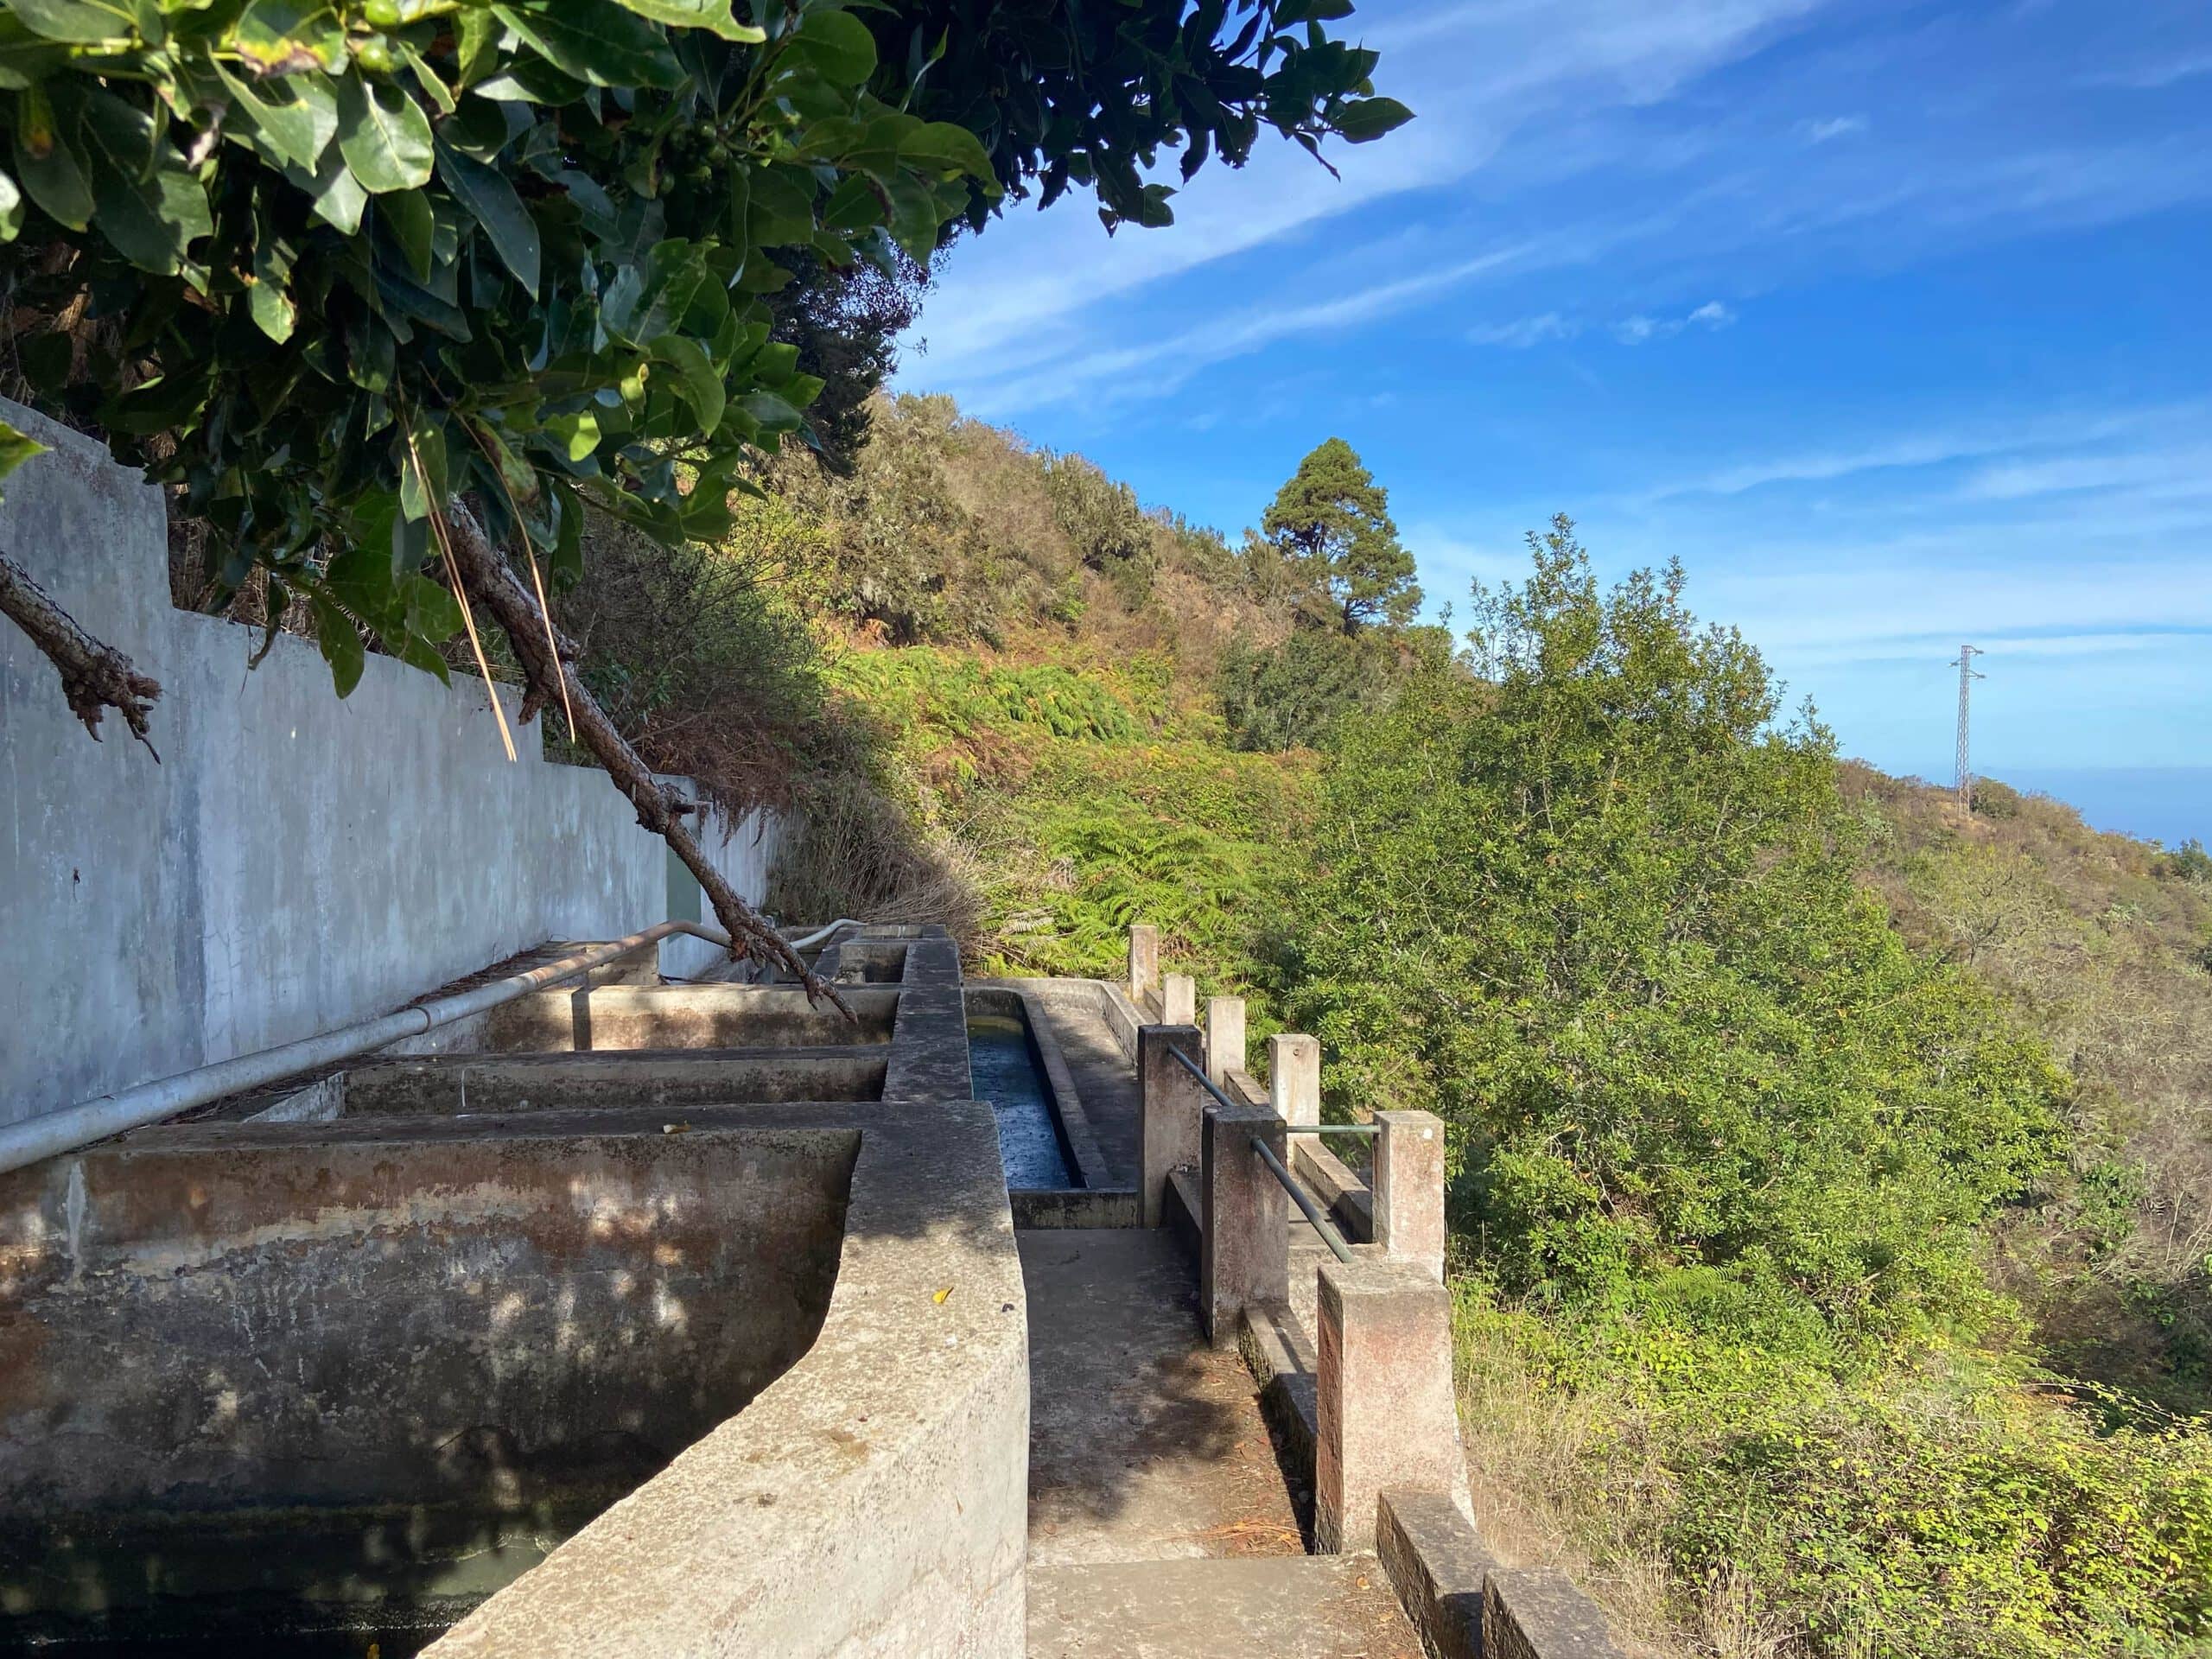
<point>1333,532</point>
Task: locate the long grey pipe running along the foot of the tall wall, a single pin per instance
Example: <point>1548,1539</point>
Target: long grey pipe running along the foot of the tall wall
<point>140,1105</point>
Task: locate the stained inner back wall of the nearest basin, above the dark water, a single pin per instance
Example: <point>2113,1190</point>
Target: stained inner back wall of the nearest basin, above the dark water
<point>404,1311</point>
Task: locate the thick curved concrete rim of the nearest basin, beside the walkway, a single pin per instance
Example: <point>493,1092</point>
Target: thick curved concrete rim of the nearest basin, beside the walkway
<point>868,1505</point>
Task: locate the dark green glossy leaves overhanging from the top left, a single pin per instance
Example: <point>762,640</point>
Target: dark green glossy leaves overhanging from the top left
<point>348,262</point>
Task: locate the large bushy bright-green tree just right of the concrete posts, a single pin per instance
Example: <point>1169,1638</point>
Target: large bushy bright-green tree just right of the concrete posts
<point>1600,912</point>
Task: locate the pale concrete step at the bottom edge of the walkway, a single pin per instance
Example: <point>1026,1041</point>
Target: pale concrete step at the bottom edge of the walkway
<point>1264,1607</point>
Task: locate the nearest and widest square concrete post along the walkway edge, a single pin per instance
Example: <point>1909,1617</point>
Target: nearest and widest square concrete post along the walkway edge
<point>1386,1412</point>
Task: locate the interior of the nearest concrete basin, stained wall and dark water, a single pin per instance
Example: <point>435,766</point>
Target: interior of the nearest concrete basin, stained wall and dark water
<point>315,1386</point>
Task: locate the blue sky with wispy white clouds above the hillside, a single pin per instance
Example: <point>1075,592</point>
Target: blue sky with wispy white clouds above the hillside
<point>1892,322</point>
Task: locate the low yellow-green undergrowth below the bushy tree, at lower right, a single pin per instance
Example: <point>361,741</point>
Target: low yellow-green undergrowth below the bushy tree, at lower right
<point>1941,1507</point>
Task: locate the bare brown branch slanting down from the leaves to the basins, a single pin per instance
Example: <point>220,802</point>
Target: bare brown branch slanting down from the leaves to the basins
<point>494,585</point>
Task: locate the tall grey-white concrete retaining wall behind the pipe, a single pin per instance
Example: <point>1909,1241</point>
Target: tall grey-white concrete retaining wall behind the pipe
<point>295,862</point>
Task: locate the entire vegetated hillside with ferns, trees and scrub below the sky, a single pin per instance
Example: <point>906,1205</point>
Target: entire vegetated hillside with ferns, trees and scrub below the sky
<point>1828,1160</point>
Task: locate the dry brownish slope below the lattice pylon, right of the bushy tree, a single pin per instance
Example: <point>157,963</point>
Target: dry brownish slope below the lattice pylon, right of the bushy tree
<point>2103,943</point>
